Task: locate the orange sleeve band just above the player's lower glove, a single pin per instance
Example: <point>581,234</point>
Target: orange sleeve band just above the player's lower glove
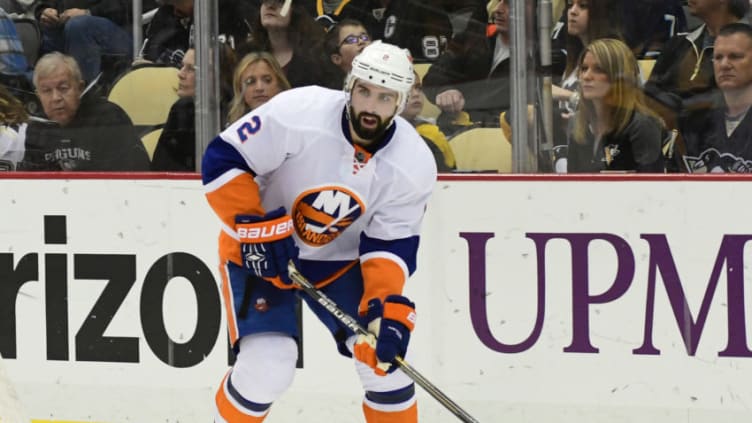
<point>381,277</point>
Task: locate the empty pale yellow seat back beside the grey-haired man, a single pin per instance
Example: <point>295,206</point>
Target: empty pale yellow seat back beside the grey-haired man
<point>146,94</point>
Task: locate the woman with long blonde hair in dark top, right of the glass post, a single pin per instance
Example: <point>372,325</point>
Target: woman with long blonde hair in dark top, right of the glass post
<point>613,129</point>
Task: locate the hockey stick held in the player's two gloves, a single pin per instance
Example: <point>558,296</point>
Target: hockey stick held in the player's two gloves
<point>353,324</point>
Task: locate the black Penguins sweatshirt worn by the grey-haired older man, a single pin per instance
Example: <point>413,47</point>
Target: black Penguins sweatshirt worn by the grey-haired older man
<point>101,137</point>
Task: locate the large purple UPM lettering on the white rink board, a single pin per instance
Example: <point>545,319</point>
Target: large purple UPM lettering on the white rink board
<point>730,257</point>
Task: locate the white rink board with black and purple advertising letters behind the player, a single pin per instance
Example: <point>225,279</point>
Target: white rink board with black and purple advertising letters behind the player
<point>621,262</point>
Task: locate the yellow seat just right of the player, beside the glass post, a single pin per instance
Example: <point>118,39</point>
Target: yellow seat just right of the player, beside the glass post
<point>482,149</point>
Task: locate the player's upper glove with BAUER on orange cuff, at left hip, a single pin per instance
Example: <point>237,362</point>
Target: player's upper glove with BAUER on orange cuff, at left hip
<point>266,245</point>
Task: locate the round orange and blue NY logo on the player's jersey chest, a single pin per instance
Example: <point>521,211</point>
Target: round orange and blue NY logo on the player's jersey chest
<point>320,215</point>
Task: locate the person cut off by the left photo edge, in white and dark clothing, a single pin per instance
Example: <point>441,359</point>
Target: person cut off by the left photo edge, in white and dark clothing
<point>13,124</point>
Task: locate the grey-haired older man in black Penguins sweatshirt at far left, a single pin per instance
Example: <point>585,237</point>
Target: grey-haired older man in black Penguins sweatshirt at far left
<point>85,132</point>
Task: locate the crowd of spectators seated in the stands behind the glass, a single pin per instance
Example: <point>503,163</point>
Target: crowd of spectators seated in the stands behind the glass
<point>685,112</point>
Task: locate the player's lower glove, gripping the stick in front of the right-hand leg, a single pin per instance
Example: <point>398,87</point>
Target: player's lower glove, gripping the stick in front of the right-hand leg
<point>389,325</point>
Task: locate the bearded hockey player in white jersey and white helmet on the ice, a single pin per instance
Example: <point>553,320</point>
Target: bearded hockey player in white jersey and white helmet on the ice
<point>337,182</point>
